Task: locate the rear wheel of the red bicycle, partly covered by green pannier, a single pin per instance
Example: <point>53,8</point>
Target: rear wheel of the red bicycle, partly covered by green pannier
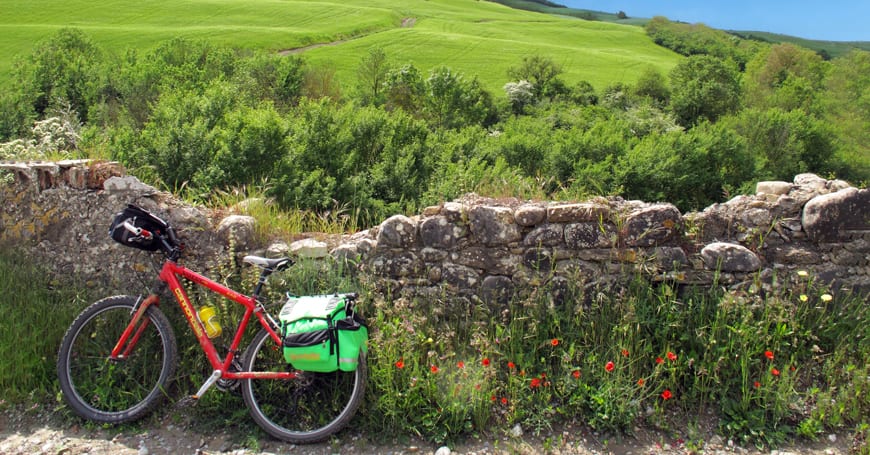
<point>307,409</point>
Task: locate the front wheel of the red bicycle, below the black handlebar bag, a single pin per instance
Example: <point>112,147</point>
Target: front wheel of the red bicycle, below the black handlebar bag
<point>120,390</point>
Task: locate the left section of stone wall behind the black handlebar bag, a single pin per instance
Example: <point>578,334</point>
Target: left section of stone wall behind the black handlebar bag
<point>59,214</point>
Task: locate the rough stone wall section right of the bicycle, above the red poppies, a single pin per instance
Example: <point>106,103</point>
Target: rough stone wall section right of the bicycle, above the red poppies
<point>490,248</point>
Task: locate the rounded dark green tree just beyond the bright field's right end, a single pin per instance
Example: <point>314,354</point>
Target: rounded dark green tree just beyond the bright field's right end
<point>704,88</point>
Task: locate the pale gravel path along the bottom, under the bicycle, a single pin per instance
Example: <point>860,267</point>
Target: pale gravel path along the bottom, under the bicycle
<point>40,430</point>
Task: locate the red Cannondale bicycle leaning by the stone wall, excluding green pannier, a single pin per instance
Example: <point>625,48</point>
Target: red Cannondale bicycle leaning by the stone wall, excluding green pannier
<point>118,357</point>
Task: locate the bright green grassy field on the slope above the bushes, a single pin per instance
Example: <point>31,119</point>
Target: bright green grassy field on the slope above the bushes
<point>477,38</point>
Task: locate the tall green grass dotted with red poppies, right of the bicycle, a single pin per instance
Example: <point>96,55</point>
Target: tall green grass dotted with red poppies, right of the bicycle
<point>640,356</point>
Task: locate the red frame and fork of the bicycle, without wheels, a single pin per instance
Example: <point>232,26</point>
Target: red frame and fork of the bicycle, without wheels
<point>169,274</point>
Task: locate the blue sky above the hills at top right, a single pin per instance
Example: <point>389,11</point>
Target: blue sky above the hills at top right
<point>834,20</point>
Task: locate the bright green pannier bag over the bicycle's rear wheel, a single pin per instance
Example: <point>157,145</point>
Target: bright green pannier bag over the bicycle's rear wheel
<point>322,333</point>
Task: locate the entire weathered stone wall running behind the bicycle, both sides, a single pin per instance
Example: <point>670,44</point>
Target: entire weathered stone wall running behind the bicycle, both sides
<point>473,248</point>
